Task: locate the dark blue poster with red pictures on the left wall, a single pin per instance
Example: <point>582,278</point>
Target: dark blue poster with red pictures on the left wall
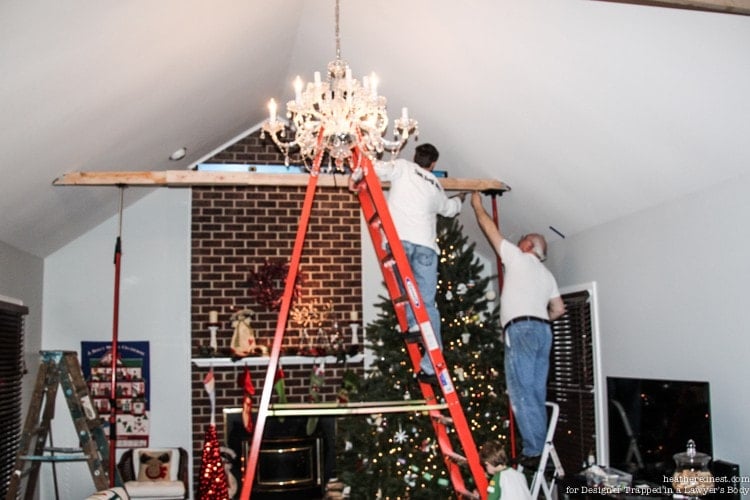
<point>132,399</point>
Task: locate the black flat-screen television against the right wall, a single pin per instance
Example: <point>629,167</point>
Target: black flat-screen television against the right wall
<point>650,420</point>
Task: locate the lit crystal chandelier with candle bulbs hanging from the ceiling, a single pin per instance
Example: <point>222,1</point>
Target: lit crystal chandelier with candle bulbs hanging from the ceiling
<point>337,115</point>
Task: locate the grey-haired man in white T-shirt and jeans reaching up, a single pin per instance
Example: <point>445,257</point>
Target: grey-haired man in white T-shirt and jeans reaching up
<point>529,301</point>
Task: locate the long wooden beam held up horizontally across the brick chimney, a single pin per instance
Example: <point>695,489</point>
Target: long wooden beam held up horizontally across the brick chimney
<point>188,178</point>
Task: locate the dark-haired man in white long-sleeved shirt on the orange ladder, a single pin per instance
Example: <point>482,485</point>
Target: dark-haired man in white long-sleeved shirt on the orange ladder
<point>415,199</point>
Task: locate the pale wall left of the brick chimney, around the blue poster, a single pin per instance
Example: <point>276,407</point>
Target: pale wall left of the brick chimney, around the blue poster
<point>154,306</point>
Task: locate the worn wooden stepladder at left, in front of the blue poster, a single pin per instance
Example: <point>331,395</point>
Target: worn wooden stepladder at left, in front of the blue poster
<point>60,368</point>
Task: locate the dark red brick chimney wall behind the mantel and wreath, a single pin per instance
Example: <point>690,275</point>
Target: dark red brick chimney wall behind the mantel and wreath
<point>235,230</point>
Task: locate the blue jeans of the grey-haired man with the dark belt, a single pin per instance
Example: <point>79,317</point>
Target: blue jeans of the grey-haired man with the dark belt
<point>527,348</point>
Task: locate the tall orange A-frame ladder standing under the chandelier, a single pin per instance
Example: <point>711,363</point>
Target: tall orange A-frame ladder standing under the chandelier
<point>396,270</point>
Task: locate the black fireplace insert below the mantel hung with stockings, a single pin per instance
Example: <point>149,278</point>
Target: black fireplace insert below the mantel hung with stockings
<point>292,463</point>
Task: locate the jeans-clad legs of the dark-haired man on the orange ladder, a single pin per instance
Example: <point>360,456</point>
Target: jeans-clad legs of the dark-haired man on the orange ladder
<point>423,262</point>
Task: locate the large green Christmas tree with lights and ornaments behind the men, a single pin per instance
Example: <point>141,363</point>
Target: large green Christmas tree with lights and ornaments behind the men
<point>394,455</point>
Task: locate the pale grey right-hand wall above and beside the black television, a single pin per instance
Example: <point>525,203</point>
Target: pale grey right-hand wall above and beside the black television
<point>672,286</point>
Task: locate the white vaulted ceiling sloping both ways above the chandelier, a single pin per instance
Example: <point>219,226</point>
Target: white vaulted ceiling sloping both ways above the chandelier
<point>589,110</point>
